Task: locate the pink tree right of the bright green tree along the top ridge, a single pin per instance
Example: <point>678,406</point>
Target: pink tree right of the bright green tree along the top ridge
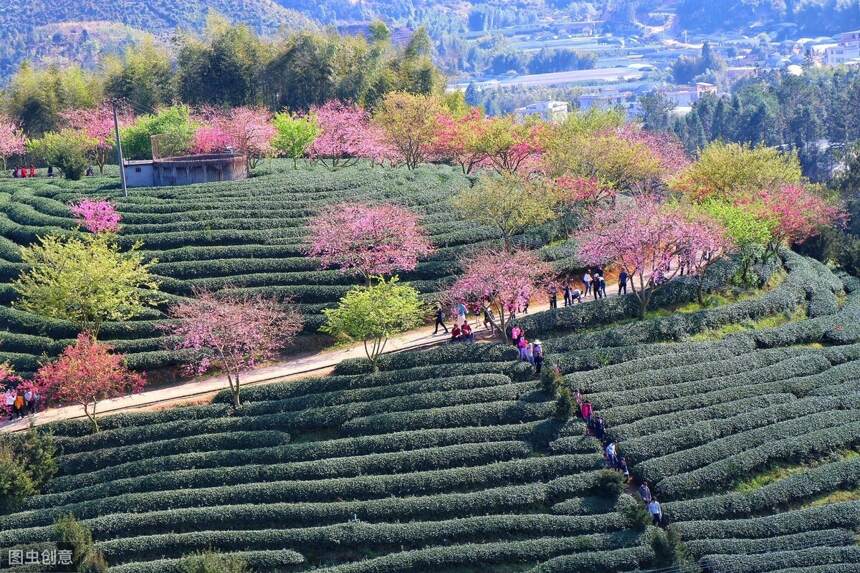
<point>346,136</point>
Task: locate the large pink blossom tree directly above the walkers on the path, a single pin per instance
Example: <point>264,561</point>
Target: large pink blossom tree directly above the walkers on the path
<point>646,240</point>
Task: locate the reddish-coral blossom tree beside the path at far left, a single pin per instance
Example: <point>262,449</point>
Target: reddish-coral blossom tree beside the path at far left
<point>85,373</point>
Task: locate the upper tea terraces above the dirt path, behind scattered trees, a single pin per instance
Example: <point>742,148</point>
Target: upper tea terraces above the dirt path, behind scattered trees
<point>245,234</point>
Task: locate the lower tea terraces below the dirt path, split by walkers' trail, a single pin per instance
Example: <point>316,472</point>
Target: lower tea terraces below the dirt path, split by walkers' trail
<point>456,458</point>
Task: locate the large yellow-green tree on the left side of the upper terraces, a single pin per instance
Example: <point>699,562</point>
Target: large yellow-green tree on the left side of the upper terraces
<point>85,279</point>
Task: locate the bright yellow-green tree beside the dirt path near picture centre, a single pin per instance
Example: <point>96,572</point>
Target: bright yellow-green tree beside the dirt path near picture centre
<point>375,313</point>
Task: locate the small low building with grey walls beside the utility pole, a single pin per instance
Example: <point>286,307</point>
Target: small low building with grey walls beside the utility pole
<point>186,170</point>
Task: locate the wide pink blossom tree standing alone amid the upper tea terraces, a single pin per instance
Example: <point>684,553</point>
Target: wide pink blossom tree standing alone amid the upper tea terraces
<point>371,240</point>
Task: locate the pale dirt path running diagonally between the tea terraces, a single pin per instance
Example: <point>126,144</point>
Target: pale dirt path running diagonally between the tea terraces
<point>201,390</point>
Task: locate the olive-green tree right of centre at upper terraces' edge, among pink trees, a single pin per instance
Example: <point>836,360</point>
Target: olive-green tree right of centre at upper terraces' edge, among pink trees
<point>506,203</point>
